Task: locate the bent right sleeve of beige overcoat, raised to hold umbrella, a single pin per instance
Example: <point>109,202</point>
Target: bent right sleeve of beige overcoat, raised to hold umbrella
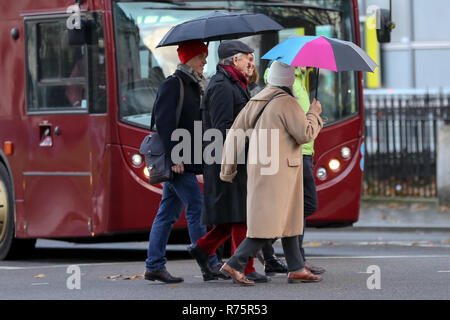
<point>303,128</point>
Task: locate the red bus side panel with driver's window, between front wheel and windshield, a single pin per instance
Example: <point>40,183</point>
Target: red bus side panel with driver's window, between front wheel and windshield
<point>65,124</point>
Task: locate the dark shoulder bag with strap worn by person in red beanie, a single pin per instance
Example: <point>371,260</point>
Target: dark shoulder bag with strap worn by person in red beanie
<point>152,147</point>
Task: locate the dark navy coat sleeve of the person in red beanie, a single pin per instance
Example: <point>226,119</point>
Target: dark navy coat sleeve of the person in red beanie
<point>165,111</point>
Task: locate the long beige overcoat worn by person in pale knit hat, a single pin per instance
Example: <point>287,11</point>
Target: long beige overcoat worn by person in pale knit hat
<point>274,190</point>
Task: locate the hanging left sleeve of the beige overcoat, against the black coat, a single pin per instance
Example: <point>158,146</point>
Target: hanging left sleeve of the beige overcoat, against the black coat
<point>234,147</point>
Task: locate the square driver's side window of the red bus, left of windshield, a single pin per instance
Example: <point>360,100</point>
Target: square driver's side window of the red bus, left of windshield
<point>63,77</point>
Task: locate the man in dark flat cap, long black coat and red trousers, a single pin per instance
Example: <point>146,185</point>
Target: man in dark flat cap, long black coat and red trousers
<point>225,203</point>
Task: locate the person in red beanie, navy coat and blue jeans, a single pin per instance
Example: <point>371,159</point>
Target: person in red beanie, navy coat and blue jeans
<point>183,190</point>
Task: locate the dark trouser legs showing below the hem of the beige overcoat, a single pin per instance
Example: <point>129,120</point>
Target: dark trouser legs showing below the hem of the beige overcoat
<point>250,246</point>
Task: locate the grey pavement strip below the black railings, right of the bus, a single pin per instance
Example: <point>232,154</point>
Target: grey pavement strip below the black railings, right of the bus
<point>403,214</point>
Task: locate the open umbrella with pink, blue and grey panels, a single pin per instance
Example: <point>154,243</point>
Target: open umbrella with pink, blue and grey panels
<point>322,53</point>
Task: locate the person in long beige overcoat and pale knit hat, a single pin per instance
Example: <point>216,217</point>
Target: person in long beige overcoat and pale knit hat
<point>275,209</point>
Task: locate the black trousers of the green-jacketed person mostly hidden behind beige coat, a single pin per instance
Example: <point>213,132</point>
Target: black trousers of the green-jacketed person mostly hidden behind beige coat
<point>310,204</point>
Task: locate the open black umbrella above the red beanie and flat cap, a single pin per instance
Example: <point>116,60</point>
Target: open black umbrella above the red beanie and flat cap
<point>220,26</point>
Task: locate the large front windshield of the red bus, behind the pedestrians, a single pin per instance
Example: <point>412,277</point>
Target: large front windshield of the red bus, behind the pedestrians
<point>140,26</point>
